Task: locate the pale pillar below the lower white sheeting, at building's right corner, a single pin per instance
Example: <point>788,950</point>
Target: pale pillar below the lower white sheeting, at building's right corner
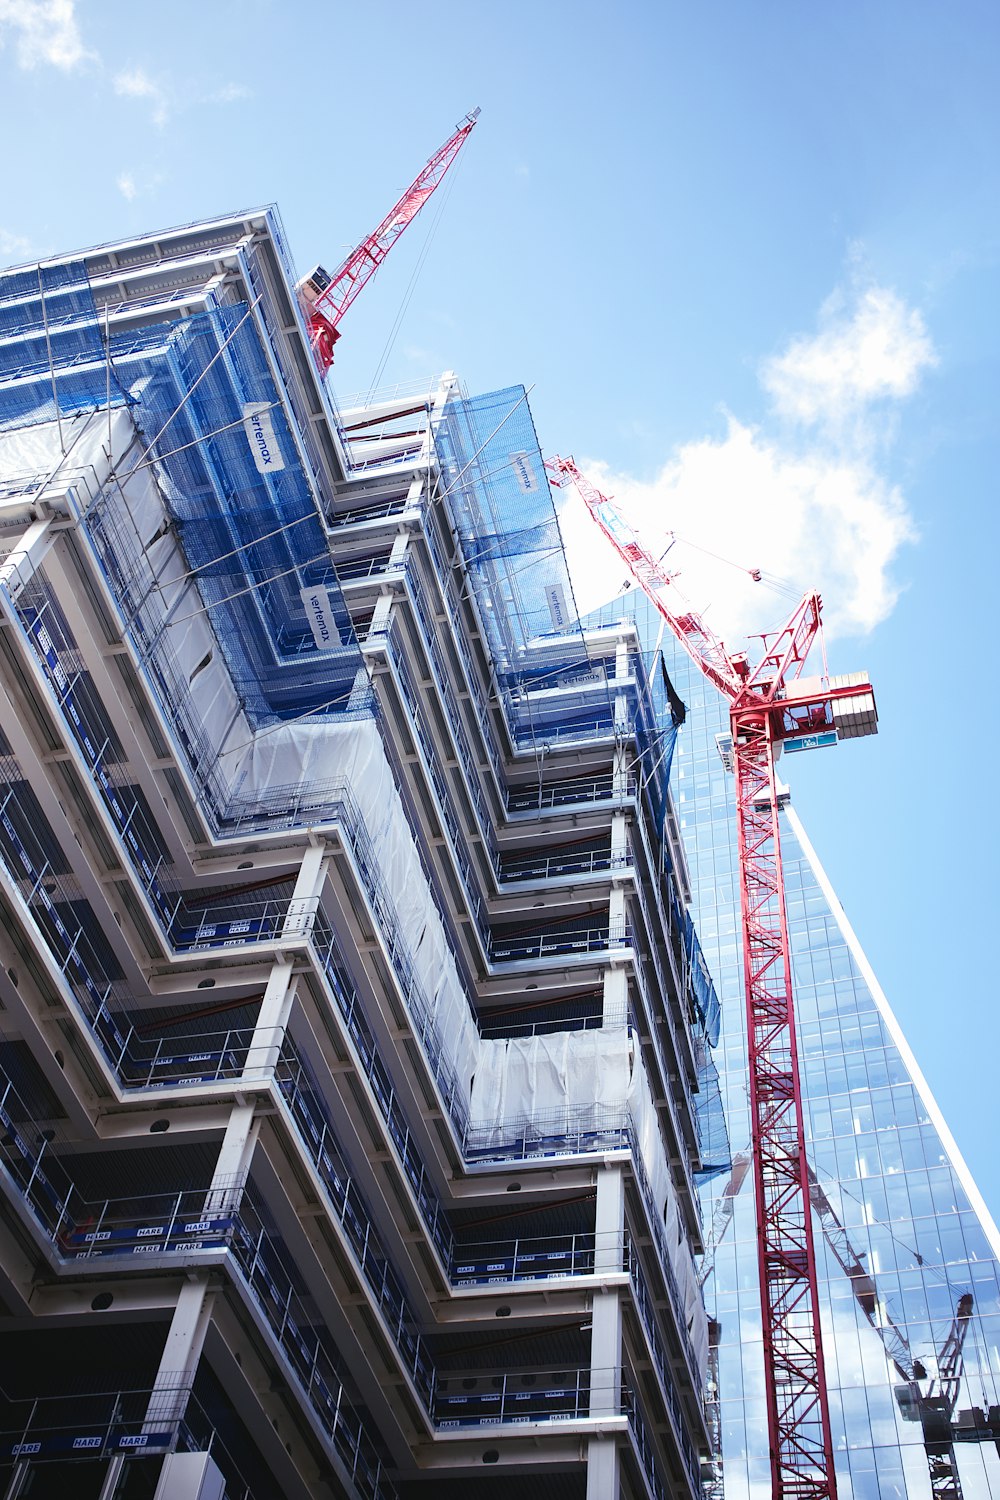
<point>603,1478</point>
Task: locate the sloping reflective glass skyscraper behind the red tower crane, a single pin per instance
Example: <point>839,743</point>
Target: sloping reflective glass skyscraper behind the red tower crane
<point>903,1237</point>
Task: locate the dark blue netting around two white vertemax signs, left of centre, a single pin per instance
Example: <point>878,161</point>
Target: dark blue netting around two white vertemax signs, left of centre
<point>254,539</point>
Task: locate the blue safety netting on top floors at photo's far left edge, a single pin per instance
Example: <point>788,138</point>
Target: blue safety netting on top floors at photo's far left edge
<point>53,361</point>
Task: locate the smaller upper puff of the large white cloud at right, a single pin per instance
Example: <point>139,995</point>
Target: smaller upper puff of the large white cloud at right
<point>867,350</point>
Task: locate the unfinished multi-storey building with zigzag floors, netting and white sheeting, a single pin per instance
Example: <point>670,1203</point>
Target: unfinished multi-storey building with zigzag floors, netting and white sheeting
<point>356,1036</point>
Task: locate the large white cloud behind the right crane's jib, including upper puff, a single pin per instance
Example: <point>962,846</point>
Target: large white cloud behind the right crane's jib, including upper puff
<point>807,503</point>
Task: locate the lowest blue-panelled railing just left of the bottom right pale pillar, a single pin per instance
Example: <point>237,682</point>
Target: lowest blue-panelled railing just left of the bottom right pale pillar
<point>491,1400</point>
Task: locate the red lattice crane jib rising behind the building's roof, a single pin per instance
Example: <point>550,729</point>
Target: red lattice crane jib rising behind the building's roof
<point>325,298</point>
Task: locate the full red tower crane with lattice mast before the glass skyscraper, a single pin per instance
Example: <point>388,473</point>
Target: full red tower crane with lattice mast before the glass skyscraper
<point>771,707</point>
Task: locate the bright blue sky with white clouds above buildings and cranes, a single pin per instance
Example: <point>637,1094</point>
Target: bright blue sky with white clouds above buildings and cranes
<point>747,256</point>
